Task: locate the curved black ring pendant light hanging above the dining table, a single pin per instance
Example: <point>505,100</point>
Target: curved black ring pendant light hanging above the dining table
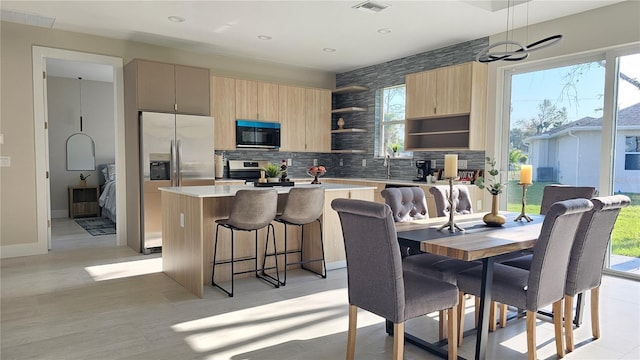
<point>514,51</point>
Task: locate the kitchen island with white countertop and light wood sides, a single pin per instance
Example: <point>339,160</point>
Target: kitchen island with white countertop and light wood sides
<point>188,231</point>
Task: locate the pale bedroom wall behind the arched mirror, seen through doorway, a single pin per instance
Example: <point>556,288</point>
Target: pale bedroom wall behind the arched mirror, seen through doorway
<point>63,101</point>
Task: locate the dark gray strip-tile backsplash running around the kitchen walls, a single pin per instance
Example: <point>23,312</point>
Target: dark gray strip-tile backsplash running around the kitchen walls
<point>374,77</point>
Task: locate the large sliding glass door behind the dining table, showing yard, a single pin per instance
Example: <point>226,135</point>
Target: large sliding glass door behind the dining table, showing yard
<point>578,123</point>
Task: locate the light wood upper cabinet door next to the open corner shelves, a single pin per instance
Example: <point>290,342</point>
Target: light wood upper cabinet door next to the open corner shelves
<point>317,107</point>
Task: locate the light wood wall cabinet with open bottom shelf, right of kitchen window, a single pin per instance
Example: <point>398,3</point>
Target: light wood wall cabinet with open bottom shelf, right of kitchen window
<point>446,107</point>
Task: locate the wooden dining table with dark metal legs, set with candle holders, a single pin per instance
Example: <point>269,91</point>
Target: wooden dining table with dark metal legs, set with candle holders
<point>477,242</point>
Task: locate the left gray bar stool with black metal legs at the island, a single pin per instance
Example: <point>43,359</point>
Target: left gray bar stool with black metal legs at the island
<point>251,210</point>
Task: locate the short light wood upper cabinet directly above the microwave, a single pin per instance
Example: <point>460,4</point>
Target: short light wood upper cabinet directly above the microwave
<point>256,100</point>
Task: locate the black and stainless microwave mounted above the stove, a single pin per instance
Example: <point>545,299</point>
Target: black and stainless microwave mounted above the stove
<point>257,134</point>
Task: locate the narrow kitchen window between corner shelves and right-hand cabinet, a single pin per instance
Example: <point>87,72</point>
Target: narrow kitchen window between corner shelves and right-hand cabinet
<point>392,105</point>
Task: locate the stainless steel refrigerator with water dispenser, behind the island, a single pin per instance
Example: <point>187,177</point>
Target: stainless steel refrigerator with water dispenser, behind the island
<point>175,150</point>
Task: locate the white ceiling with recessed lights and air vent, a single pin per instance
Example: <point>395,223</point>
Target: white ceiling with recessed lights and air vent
<point>299,30</point>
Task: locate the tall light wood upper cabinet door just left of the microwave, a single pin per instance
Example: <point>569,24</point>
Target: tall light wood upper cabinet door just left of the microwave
<point>223,109</point>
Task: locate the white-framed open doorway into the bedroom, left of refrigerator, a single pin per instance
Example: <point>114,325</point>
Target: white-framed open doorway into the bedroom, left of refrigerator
<point>81,93</point>
